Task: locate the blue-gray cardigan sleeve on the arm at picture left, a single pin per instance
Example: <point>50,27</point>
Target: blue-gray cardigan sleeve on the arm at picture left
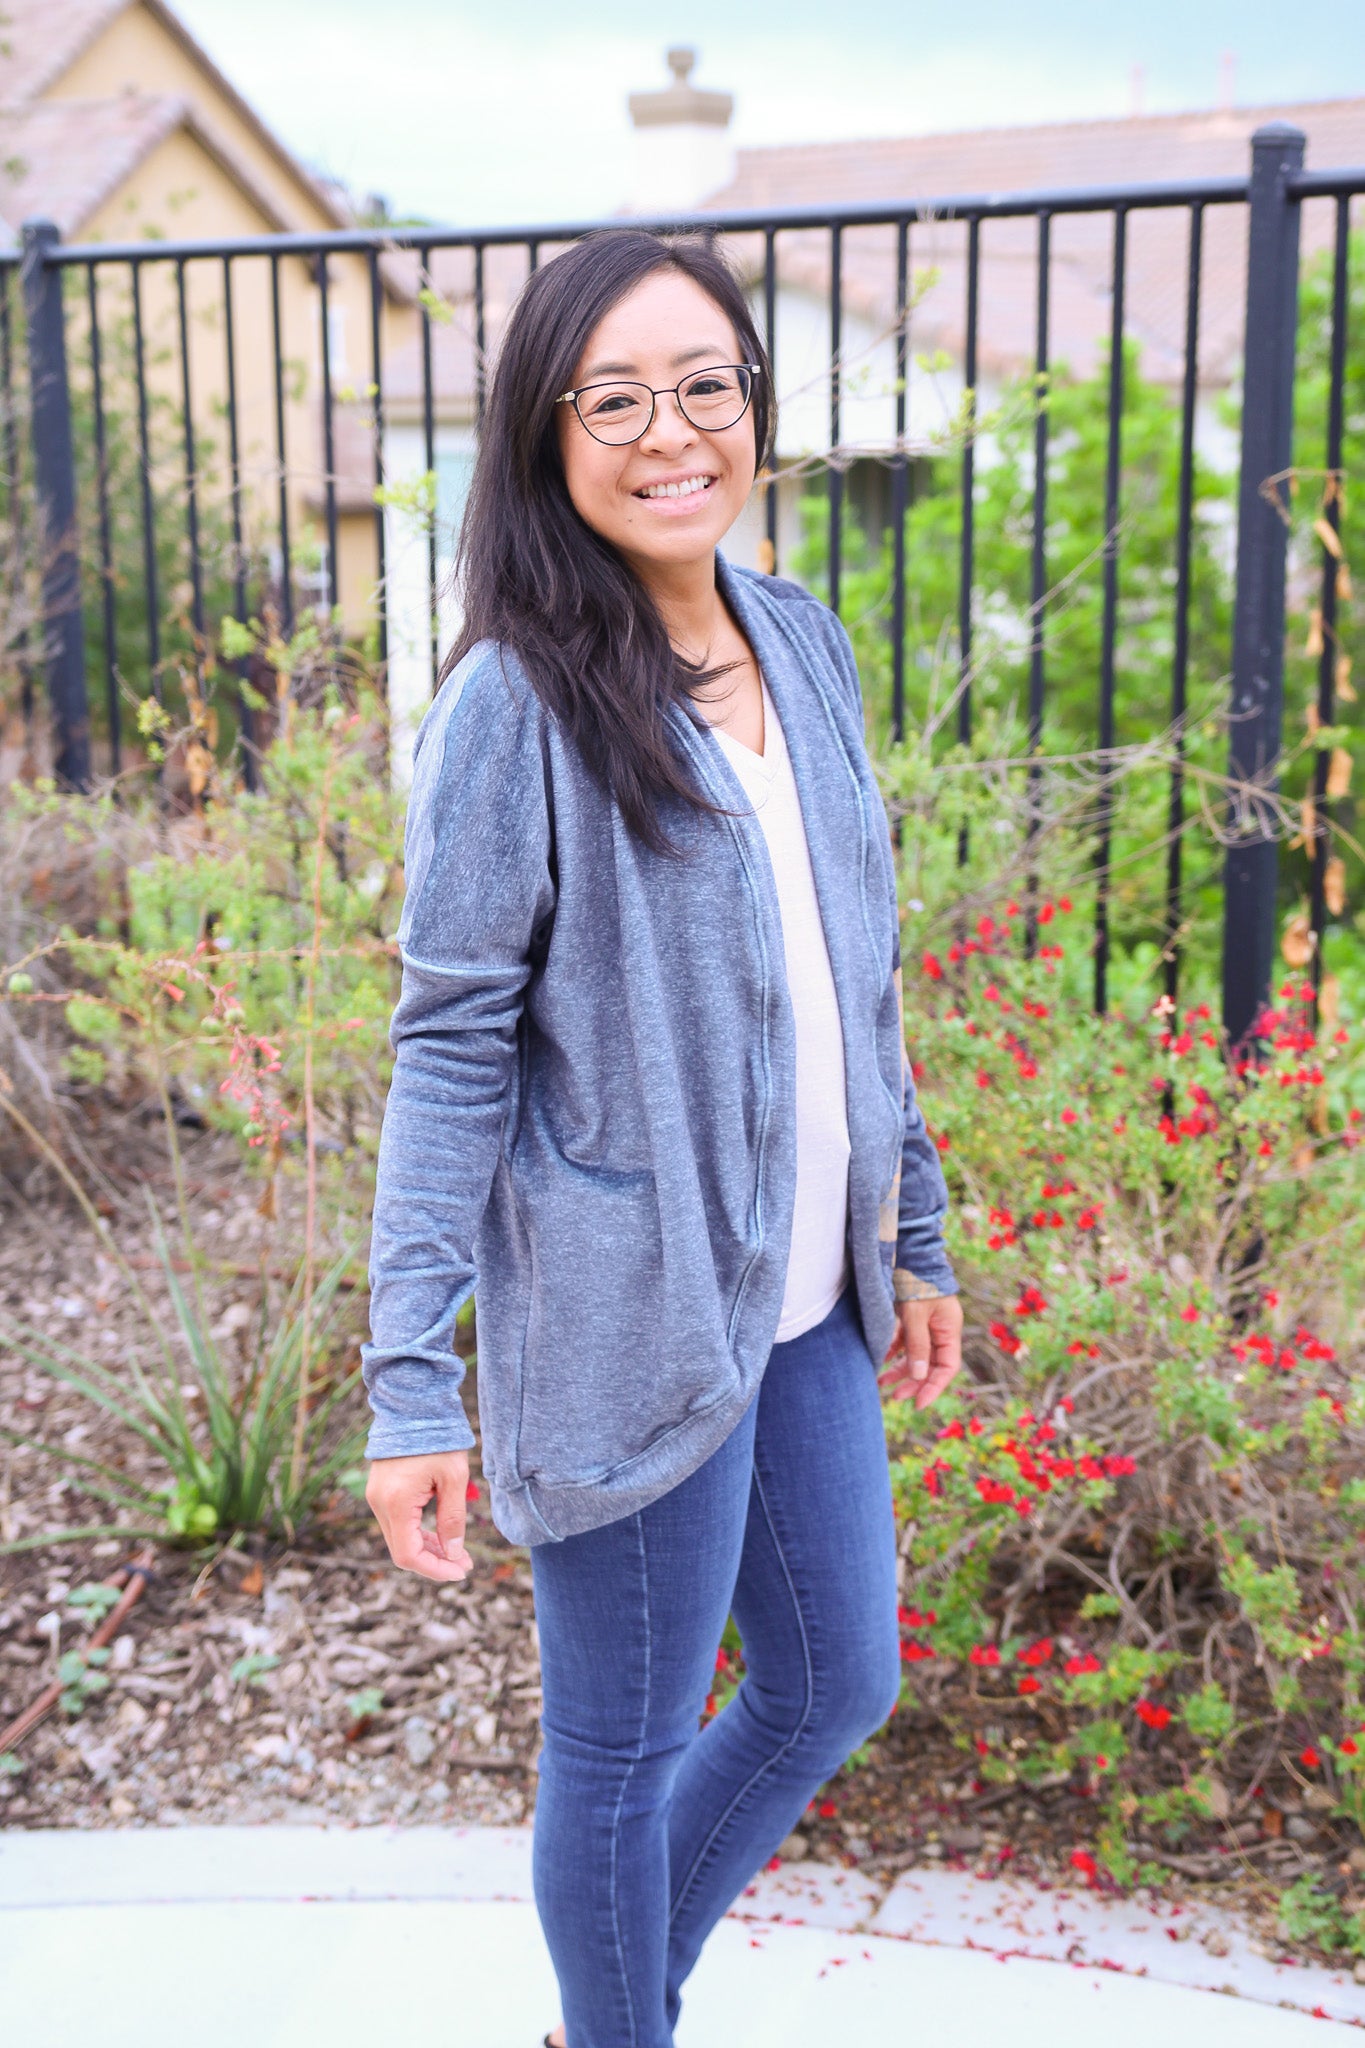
<point>480,902</point>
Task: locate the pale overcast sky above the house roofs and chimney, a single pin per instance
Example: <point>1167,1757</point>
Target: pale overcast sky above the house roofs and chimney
<point>480,114</point>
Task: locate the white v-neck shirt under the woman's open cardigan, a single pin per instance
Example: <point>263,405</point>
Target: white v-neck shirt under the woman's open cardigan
<point>820,1265</point>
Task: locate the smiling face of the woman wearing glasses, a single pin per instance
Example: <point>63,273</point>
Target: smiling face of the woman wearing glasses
<point>658,335</point>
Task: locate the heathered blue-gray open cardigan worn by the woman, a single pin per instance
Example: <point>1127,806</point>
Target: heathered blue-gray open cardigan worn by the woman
<point>592,1105</point>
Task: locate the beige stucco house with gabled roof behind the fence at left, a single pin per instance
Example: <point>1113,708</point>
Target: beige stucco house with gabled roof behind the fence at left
<point>120,128</point>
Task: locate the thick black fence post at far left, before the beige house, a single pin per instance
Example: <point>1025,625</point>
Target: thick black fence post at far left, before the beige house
<point>54,472</point>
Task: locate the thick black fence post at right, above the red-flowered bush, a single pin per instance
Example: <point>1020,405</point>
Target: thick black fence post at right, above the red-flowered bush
<point>1262,548</point>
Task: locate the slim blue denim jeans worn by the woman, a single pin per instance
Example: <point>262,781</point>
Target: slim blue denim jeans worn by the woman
<point>646,1828</point>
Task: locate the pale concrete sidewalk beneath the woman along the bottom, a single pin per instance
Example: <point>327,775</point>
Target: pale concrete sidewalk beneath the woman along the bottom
<point>365,1938</point>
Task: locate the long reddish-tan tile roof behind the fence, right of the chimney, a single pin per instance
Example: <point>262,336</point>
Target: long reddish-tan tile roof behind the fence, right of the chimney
<point>1165,148</point>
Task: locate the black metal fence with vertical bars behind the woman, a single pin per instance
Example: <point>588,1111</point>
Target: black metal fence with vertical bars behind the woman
<point>58,335</point>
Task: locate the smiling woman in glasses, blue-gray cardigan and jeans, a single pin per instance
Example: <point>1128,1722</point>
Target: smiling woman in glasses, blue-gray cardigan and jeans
<point>650,1062</point>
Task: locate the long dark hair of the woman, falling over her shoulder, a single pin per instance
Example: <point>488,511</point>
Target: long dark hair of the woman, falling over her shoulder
<point>537,579</point>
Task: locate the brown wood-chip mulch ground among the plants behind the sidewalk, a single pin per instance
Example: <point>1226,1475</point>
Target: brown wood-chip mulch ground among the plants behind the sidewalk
<point>314,1682</point>
